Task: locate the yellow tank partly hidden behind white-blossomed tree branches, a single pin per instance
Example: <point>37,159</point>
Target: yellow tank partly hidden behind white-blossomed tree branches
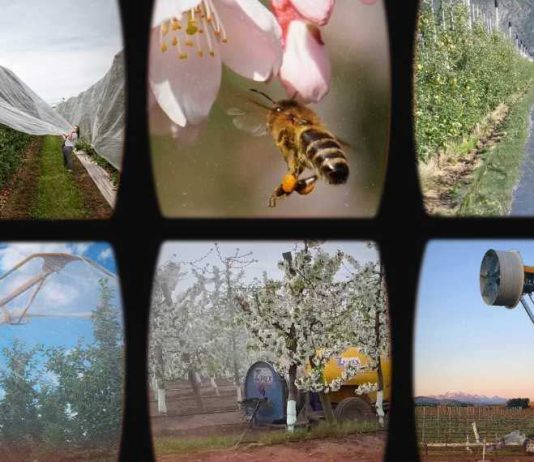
<point>334,368</point>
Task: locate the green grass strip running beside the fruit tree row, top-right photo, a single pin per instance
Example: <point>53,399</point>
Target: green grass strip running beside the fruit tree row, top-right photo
<point>490,192</point>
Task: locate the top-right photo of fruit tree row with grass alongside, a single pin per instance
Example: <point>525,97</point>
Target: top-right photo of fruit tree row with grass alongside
<point>474,97</point>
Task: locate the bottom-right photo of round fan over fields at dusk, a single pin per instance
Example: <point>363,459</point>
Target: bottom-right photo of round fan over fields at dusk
<point>474,367</point>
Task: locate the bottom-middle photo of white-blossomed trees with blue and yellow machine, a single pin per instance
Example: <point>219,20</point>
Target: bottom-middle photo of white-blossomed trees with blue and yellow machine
<point>269,350</point>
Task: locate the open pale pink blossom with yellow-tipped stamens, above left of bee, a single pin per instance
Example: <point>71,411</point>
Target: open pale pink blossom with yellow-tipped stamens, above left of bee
<point>190,41</point>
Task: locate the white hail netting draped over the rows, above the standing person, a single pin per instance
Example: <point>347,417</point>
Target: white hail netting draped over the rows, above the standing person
<point>99,111</point>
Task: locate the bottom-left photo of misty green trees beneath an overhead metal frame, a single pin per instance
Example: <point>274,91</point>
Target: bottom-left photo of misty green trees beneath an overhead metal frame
<point>62,356</point>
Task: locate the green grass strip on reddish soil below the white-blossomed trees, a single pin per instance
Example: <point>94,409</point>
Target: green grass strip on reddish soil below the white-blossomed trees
<point>174,445</point>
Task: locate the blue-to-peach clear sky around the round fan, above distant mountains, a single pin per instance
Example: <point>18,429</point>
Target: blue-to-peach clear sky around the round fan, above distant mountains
<point>461,344</point>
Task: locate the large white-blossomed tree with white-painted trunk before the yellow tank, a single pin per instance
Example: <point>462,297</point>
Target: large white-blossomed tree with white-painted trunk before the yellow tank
<point>311,316</point>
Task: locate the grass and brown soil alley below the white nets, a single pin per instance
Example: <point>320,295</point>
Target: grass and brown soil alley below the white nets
<point>22,198</point>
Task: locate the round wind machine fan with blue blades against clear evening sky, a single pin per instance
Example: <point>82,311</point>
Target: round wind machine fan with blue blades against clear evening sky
<point>505,281</point>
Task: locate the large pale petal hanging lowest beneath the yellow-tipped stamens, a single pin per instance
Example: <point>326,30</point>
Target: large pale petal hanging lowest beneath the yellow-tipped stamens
<point>184,88</point>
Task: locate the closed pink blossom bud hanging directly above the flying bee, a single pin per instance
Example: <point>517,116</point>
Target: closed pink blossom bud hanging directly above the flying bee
<point>305,71</point>
